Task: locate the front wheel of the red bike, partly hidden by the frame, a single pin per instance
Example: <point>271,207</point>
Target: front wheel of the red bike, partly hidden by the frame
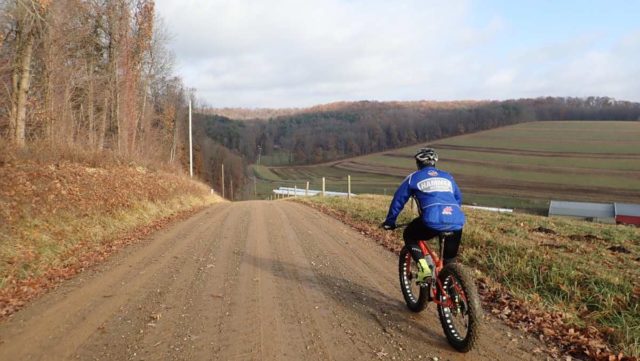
<point>415,296</point>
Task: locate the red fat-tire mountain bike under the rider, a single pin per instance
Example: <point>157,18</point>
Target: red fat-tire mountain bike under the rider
<point>451,288</point>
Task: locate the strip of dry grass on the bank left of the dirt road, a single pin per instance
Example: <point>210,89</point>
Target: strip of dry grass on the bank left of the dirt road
<point>37,245</point>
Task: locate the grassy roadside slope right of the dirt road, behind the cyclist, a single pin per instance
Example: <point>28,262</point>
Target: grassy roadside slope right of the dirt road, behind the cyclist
<point>588,273</point>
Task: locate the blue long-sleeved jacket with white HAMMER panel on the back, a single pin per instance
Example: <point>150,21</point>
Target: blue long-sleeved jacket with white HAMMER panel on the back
<point>439,199</point>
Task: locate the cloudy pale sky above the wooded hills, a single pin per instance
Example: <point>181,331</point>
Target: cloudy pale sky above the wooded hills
<point>298,53</point>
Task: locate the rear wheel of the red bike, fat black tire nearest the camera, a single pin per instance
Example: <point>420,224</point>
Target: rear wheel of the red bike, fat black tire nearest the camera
<point>462,316</point>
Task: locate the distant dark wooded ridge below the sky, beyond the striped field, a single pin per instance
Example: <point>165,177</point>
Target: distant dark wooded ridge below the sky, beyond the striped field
<point>353,129</point>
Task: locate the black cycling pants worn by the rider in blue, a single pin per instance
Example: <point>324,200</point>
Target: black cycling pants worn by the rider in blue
<point>417,230</point>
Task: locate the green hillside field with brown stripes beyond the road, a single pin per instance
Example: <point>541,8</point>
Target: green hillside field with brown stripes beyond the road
<point>522,166</point>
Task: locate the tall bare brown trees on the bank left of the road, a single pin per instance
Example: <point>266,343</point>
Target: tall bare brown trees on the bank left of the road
<point>95,75</point>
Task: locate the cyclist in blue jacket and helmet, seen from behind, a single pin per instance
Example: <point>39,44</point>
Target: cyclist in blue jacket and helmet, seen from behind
<point>439,200</point>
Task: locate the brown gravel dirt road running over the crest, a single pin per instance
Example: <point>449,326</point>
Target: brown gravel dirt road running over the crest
<point>243,281</point>
